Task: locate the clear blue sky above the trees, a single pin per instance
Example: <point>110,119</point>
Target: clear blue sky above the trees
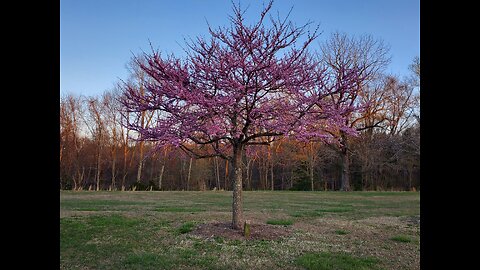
<point>97,37</point>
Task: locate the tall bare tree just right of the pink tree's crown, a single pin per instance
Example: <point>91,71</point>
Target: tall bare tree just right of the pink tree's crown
<point>365,55</point>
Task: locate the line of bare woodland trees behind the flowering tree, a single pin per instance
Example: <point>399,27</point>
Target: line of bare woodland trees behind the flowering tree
<point>97,152</point>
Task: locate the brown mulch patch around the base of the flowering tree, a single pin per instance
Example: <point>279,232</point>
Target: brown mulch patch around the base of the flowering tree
<point>257,231</point>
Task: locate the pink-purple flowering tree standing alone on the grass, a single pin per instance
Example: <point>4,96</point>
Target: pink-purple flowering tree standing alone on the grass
<point>247,84</point>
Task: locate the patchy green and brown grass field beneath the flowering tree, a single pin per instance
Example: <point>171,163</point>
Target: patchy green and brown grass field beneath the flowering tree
<point>157,230</point>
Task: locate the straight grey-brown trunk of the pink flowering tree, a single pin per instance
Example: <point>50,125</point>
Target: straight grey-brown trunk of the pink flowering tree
<point>237,205</point>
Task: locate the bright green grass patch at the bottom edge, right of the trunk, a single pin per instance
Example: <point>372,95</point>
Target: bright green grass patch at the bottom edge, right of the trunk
<point>340,261</point>
